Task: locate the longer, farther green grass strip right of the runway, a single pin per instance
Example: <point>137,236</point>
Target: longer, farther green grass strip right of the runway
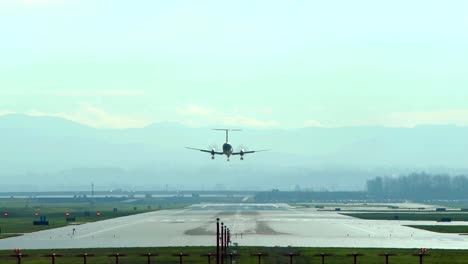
<point>410,216</point>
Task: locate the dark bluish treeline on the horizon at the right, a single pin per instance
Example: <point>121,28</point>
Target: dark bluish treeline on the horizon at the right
<point>419,186</point>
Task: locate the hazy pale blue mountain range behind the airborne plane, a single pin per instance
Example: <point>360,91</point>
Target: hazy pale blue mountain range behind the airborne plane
<point>45,152</point>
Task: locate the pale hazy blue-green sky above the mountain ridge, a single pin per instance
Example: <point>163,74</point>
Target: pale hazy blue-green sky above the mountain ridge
<point>290,64</point>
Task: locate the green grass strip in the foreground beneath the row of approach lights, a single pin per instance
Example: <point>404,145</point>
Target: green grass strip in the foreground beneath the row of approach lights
<point>274,255</point>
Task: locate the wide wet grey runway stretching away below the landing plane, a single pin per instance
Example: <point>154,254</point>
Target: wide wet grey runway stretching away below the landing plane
<point>250,224</point>
